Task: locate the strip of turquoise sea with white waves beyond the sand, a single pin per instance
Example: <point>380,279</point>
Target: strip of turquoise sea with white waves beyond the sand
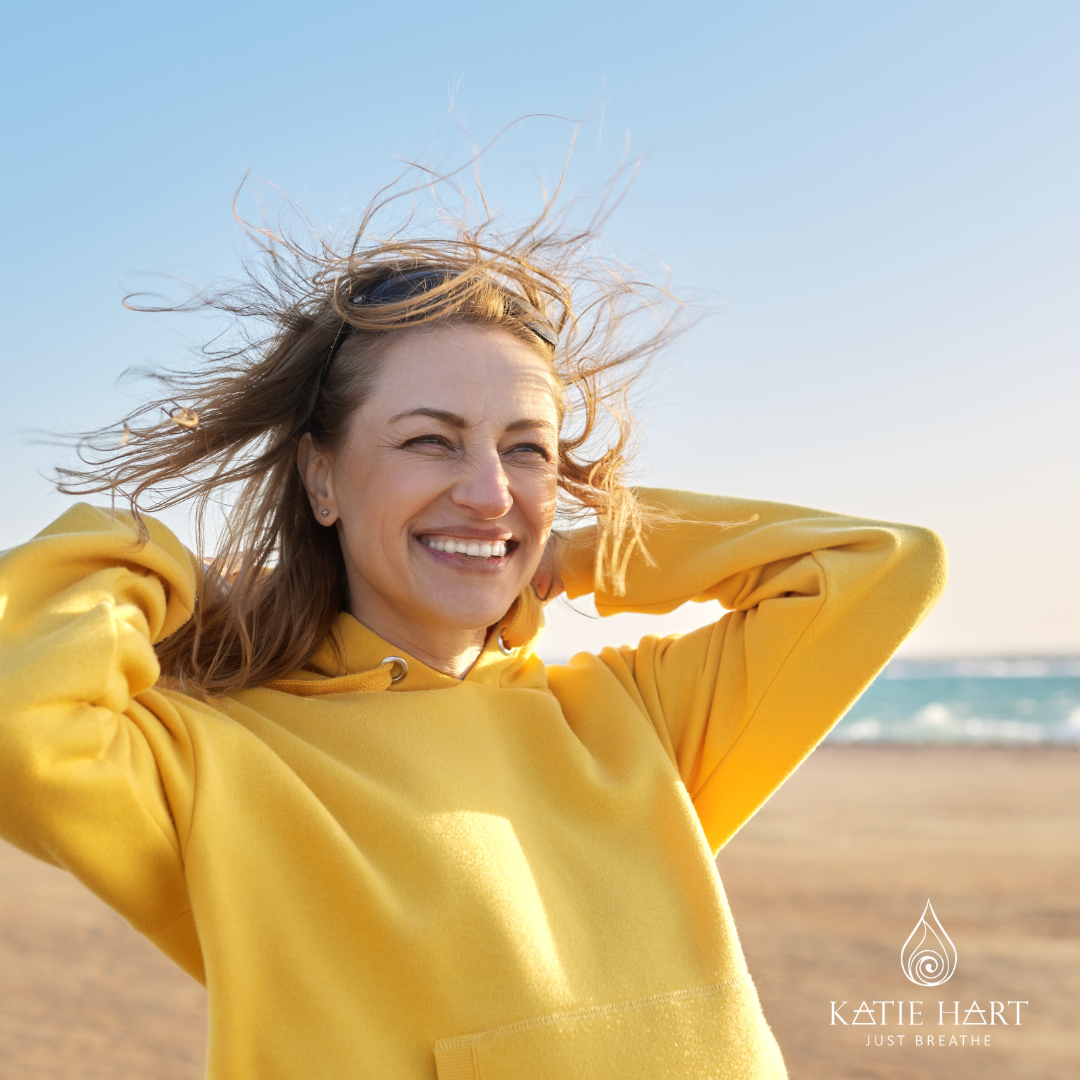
<point>1019,703</point>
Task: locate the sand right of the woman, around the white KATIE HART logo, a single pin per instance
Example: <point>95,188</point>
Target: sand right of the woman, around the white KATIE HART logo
<point>829,881</point>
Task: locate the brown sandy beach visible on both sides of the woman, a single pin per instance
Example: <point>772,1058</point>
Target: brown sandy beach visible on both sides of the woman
<point>826,884</point>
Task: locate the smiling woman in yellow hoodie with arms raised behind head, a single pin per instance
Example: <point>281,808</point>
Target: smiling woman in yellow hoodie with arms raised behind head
<point>331,778</point>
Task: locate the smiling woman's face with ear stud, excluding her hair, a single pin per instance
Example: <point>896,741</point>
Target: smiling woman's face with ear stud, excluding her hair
<point>444,490</point>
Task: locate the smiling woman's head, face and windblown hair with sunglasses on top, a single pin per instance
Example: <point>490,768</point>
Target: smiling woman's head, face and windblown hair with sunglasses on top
<point>449,331</point>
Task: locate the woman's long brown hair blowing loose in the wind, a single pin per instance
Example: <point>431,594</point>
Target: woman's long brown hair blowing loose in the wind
<point>227,431</point>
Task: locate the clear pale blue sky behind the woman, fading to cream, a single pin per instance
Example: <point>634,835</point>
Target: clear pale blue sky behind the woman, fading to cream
<point>881,199</point>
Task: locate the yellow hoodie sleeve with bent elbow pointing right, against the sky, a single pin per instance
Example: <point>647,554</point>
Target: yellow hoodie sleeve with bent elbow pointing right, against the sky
<point>818,603</point>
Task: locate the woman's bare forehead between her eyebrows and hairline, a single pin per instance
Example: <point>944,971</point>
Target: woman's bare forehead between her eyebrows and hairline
<point>483,374</point>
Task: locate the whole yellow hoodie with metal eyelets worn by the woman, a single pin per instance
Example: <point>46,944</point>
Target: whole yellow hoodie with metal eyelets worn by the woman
<point>506,877</point>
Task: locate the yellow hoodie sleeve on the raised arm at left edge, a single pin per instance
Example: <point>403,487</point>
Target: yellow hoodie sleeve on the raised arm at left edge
<point>97,769</point>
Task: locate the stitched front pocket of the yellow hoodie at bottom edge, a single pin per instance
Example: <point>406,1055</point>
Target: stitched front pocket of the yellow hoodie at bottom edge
<point>708,1033</point>
